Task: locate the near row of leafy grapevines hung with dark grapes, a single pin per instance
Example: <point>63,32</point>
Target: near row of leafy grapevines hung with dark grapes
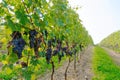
<point>39,36</point>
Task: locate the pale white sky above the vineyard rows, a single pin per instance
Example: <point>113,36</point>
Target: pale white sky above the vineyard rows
<point>100,17</point>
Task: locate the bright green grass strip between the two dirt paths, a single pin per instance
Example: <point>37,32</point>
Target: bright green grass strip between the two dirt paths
<point>103,66</point>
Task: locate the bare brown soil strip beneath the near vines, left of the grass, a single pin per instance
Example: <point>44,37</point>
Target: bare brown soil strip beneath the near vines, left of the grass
<point>83,69</point>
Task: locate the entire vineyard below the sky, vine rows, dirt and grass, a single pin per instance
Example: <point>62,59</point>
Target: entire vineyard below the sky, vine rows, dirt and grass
<point>46,40</point>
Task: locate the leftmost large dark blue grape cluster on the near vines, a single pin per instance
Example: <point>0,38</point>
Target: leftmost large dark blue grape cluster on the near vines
<point>18,43</point>
